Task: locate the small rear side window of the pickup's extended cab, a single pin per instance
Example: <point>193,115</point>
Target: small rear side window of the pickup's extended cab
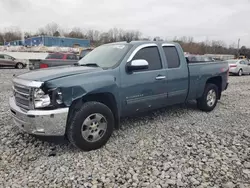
<point>172,56</point>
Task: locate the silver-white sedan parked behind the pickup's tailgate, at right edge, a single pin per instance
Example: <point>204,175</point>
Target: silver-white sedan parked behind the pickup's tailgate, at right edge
<point>239,66</point>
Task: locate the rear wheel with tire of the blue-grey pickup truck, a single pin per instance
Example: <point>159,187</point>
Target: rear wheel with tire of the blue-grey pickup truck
<point>206,104</point>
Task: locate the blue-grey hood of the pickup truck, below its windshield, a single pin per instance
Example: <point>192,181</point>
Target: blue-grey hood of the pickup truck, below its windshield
<point>57,72</point>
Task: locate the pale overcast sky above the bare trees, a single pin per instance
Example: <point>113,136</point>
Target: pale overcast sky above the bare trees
<point>225,20</point>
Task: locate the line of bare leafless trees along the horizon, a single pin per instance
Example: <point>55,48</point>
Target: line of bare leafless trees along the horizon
<point>115,35</point>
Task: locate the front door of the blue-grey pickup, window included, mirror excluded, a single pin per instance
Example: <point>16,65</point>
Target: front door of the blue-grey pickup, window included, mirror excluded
<point>145,89</point>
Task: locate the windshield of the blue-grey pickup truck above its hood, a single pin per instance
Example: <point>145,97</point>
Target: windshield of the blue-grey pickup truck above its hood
<point>106,56</point>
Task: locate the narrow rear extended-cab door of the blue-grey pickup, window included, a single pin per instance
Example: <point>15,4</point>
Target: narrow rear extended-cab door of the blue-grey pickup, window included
<point>177,73</point>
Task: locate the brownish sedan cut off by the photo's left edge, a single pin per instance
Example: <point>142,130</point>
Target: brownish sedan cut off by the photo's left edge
<point>9,61</point>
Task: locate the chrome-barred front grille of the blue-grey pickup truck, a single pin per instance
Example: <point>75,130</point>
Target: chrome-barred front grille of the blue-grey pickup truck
<point>23,96</point>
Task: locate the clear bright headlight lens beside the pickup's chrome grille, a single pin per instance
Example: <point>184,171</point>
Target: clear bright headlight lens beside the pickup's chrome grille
<point>41,99</point>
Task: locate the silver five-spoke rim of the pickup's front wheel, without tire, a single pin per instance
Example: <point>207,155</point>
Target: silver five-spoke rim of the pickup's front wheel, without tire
<point>94,127</point>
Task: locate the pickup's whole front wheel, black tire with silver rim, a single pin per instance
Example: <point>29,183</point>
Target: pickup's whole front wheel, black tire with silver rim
<point>82,128</point>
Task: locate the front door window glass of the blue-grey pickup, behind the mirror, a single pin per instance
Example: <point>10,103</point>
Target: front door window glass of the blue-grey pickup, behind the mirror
<point>151,55</point>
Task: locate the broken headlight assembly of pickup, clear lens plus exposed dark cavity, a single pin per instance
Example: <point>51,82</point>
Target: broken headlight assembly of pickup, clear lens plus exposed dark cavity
<point>51,99</point>
